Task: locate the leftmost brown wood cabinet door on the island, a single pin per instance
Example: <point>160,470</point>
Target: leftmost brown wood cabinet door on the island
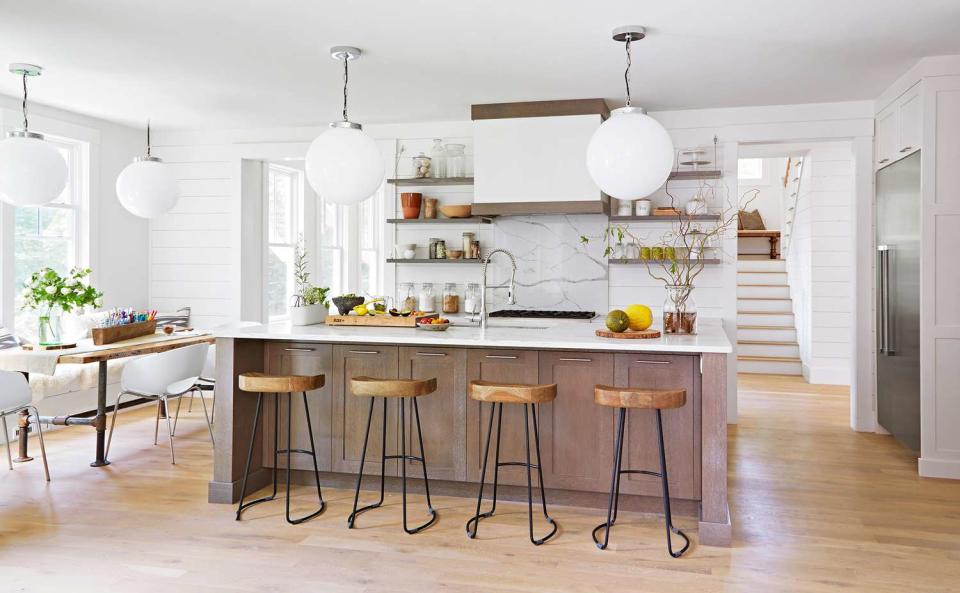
<point>291,358</point>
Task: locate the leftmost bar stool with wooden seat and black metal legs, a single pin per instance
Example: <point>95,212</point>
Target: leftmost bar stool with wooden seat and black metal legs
<point>278,385</point>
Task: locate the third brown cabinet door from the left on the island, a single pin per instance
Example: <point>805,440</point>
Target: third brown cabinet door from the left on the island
<point>442,413</point>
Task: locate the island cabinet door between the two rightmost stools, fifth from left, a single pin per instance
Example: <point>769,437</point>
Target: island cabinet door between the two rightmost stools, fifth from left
<point>579,432</point>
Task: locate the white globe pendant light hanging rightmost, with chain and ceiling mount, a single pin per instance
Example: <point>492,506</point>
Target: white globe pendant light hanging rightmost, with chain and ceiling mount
<point>630,155</point>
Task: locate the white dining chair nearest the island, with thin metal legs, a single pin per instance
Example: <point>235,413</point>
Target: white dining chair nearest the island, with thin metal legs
<point>163,376</point>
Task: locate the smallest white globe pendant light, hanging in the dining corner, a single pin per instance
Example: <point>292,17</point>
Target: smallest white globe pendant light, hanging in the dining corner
<point>146,187</point>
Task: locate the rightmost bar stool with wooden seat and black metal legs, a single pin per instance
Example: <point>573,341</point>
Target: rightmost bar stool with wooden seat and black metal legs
<point>624,398</point>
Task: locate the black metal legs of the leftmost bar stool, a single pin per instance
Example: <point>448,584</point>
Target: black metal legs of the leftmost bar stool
<point>276,451</point>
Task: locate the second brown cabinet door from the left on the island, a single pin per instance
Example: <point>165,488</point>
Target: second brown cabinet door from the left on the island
<point>350,412</point>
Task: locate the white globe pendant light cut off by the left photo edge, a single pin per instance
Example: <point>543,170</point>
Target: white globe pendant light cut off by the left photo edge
<point>32,171</point>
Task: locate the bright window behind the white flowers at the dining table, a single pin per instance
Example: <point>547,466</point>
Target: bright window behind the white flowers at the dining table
<point>50,235</point>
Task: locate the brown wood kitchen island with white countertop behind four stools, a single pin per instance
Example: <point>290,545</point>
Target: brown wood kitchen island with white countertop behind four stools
<point>576,434</point>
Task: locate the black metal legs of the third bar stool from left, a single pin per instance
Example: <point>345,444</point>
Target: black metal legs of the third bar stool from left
<point>497,410</point>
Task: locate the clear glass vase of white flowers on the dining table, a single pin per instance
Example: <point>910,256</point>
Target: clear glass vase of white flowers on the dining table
<point>51,294</point>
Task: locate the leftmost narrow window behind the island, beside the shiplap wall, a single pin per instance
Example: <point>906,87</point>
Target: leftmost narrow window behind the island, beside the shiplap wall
<point>284,206</point>
